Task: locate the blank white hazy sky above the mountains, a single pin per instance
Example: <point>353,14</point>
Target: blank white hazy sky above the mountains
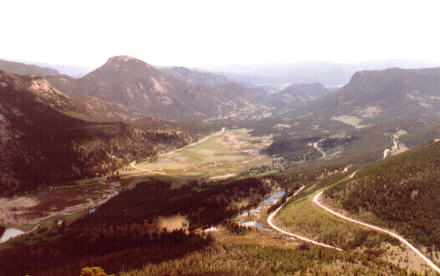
<point>211,32</point>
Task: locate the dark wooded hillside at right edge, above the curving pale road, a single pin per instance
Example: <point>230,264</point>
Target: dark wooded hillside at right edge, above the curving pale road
<point>400,192</point>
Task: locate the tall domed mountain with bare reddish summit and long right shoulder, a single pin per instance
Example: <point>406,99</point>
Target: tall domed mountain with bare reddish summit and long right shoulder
<point>143,89</point>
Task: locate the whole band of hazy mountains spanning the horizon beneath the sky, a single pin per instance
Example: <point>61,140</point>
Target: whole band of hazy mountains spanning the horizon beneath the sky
<point>126,88</point>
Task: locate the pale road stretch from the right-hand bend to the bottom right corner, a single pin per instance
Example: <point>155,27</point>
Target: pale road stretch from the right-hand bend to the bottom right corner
<point>394,235</point>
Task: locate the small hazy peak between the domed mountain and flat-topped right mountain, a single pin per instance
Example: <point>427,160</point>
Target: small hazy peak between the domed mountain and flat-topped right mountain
<point>297,94</point>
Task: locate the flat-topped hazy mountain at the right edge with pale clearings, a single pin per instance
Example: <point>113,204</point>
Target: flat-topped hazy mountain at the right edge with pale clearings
<point>376,96</point>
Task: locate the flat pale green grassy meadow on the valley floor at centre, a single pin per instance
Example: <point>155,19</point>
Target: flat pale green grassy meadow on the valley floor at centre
<point>226,155</point>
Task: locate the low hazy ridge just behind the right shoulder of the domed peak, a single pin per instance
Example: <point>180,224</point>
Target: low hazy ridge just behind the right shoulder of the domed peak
<point>194,76</point>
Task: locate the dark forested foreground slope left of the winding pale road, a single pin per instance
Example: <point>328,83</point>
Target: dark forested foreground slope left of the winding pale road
<point>155,228</point>
